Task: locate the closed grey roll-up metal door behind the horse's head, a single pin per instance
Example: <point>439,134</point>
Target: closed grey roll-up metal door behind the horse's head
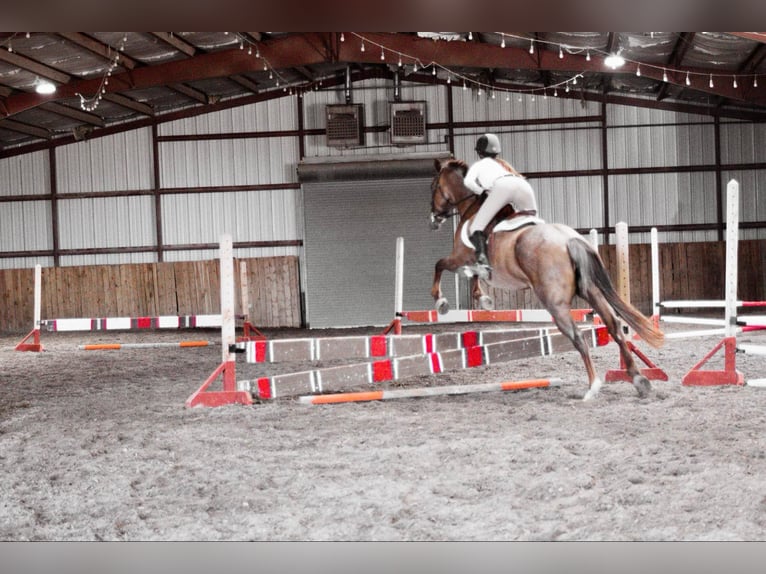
<point>350,247</point>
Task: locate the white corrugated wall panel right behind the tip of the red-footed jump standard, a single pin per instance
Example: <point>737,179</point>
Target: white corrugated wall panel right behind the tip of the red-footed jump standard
<point>262,215</point>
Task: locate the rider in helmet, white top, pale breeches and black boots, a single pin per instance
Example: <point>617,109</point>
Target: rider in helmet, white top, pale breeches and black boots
<point>504,186</point>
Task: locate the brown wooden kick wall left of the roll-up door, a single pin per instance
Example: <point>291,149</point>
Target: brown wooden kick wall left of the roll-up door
<point>151,289</point>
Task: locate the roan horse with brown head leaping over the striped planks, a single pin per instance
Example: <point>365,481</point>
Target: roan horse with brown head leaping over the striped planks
<point>552,259</point>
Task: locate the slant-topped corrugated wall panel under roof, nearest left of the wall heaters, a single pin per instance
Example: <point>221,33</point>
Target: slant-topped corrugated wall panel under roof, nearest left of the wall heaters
<point>271,115</point>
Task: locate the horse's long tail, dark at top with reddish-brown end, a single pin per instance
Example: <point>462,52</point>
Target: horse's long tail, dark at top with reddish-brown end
<point>591,273</point>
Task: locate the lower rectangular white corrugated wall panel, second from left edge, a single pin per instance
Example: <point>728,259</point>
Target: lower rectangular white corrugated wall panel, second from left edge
<point>106,222</point>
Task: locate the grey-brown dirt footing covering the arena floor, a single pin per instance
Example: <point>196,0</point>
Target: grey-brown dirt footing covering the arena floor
<point>99,446</point>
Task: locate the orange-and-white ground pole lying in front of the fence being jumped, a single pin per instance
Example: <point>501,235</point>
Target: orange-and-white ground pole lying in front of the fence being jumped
<point>385,395</point>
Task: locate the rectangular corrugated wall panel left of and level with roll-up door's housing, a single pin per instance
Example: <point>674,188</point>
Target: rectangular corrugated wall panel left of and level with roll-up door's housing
<point>206,163</point>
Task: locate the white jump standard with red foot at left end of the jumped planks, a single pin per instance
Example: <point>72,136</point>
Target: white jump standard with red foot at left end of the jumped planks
<point>226,371</point>
